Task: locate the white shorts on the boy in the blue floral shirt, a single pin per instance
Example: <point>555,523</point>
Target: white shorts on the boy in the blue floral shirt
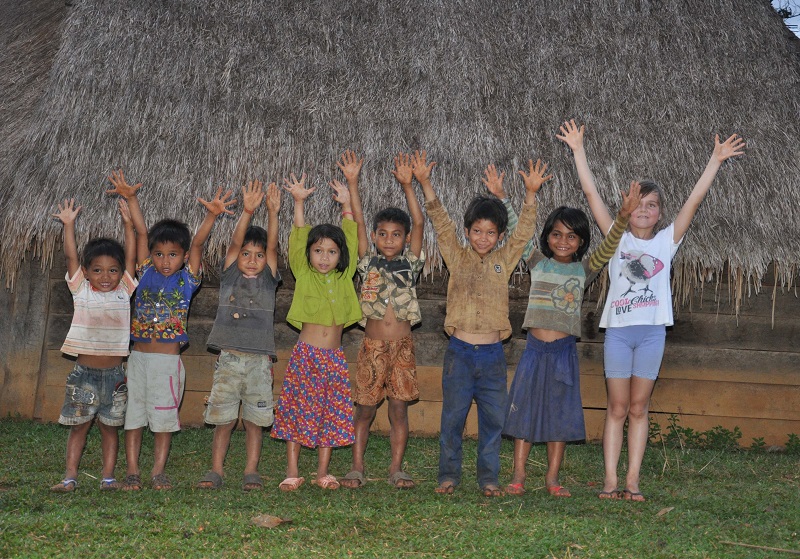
<point>155,391</point>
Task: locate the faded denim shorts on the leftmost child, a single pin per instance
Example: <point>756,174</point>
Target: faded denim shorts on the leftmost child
<point>95,392</point>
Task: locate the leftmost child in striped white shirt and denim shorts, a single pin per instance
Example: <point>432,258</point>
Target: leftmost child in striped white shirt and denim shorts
<point>101,283</point>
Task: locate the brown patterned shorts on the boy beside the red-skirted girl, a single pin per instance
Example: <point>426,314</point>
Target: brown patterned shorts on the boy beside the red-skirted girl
<point>386,369</point>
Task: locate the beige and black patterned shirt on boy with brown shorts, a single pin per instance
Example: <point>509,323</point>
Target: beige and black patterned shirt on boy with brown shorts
<point>390,282</point>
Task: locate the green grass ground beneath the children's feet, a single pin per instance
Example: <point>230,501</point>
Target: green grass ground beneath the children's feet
<point>696,501</point>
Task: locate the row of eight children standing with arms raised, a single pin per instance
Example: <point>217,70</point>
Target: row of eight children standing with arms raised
<point>315,408</point>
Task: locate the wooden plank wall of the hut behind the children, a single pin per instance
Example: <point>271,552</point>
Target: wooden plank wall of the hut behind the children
<point>717,370</point>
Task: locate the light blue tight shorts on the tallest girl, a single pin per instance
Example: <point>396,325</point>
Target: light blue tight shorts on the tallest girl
<point>634,351</point>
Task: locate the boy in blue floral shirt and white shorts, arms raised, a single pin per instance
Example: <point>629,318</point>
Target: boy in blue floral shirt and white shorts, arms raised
<point>169,274</point>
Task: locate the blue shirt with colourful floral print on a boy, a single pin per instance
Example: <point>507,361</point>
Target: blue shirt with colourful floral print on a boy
<point>162,304</point>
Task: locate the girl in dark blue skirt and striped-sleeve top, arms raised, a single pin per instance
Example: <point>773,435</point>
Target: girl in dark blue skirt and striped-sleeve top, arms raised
<point>544,402</point>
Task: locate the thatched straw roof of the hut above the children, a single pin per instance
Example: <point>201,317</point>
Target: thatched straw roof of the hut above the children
<point>191,94</point>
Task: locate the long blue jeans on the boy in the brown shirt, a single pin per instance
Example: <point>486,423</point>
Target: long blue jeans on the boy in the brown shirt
<point>472,372</point>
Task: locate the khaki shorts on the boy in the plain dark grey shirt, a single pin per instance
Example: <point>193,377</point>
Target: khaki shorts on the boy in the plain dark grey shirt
<point>244,378</point>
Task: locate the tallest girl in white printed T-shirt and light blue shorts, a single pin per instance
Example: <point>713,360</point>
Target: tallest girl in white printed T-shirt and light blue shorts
<point>639,305</point>
